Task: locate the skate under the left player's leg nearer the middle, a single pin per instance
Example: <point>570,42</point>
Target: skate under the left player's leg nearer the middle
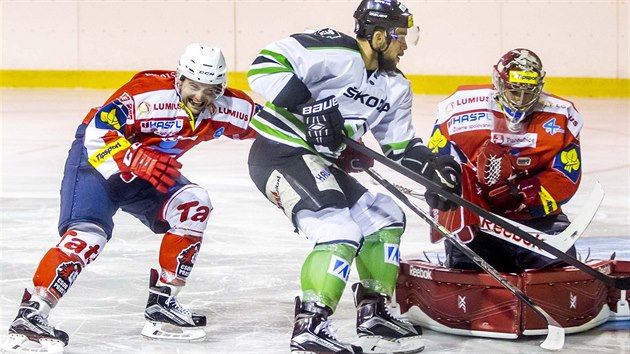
<point>167,318</point>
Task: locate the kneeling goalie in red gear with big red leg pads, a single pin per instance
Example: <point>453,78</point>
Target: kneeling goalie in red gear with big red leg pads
<point>519,149</point>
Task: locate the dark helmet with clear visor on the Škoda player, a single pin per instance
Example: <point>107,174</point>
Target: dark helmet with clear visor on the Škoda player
<point>383,14</point>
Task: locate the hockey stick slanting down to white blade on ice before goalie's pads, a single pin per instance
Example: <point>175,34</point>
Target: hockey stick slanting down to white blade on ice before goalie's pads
<point>555,334</point>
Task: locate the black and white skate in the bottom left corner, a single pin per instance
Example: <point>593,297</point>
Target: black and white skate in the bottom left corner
<point>31,333</point>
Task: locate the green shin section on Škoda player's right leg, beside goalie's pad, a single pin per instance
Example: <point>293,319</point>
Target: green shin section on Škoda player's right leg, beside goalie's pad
<point>378,261</point>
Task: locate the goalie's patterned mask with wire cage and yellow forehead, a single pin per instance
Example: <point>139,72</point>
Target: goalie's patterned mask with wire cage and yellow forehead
<point>518,80</point>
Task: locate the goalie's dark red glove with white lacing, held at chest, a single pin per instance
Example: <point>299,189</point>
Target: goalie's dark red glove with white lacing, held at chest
<point>497,177</point>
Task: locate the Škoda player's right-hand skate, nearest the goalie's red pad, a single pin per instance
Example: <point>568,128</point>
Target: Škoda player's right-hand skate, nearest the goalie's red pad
<point>379,331</point>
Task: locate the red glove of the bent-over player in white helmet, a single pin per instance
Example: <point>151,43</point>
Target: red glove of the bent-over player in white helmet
<point>158,168</point>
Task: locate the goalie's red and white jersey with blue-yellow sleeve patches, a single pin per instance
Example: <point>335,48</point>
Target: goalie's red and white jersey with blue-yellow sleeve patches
<point>547,148</point>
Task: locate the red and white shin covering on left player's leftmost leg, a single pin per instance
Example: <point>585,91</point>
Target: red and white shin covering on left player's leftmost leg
<point>62,264</point>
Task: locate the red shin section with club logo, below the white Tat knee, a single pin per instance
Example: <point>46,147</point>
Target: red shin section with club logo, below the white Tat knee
<point>177,257</point>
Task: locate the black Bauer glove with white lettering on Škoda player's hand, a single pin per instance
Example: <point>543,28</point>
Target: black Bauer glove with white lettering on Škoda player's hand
<point>324,124</point>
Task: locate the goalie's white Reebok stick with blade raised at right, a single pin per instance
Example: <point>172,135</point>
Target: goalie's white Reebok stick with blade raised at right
<point>561,241</point>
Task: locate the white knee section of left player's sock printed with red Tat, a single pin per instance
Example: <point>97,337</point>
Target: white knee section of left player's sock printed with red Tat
<point>187,211</point>
